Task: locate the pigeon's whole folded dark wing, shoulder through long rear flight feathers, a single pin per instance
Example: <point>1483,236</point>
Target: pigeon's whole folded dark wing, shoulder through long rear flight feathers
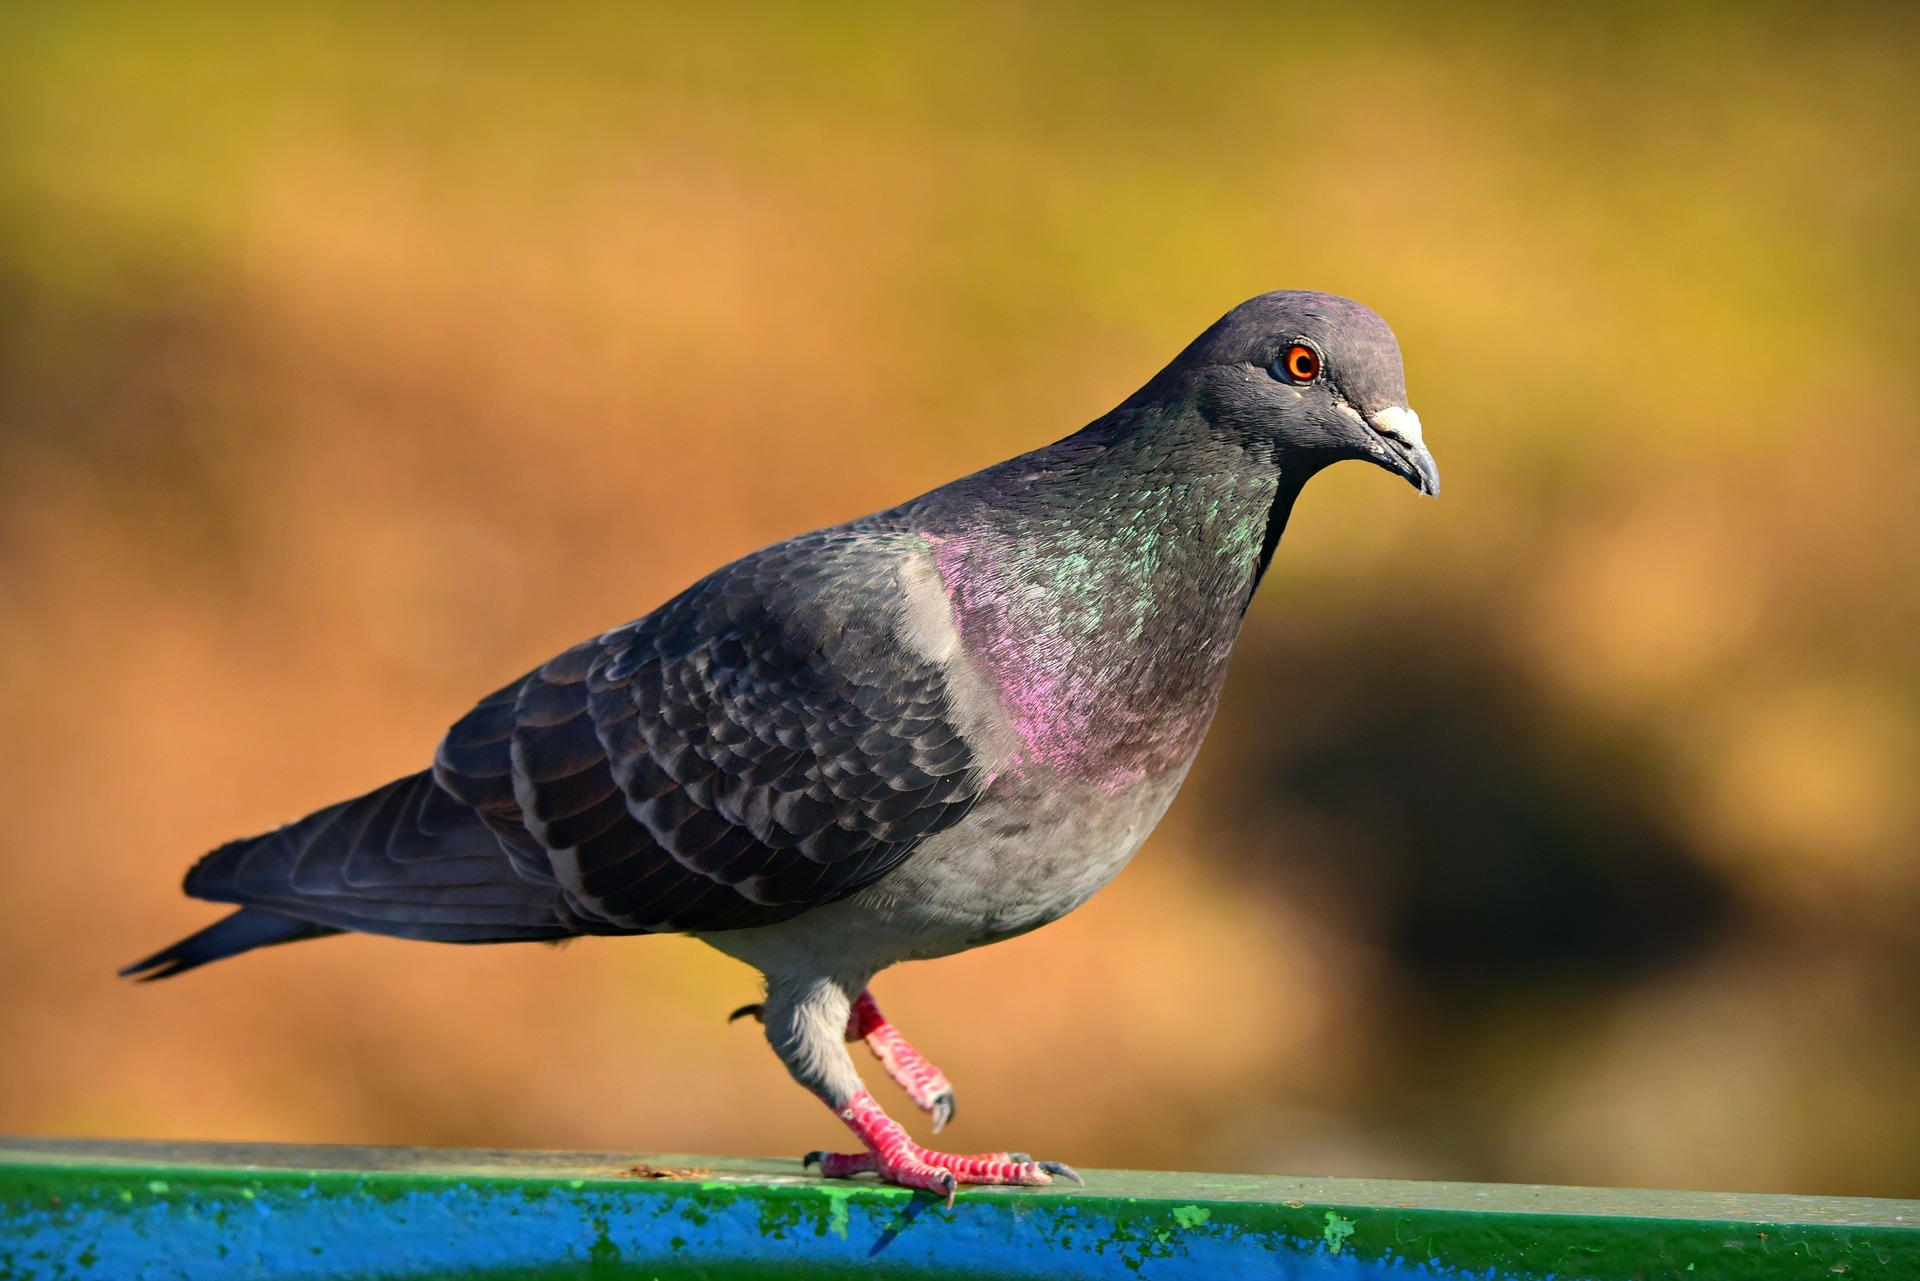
<point>763,744</point>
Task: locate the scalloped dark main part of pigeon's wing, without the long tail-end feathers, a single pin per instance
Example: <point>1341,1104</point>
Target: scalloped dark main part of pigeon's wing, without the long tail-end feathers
<point>773,740</point>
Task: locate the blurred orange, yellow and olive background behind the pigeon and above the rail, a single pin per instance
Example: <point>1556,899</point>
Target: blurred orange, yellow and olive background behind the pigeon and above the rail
<point>358,358</point>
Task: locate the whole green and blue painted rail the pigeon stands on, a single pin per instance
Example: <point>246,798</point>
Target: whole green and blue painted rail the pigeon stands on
<point>110,1211</point>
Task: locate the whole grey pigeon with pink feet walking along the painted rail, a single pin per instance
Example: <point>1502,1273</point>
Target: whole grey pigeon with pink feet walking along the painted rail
<point>900,738</point>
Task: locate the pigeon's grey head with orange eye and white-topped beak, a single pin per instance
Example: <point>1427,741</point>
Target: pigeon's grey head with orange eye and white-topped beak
<point>1314,374</point>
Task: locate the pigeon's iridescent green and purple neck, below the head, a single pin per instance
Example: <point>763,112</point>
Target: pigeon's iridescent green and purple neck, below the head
<point>1101,585</point>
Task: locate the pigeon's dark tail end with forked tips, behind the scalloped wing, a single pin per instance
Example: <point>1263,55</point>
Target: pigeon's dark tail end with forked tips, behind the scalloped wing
<point>406,859</point>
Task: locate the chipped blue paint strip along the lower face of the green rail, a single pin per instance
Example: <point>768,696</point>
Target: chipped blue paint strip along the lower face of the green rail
<point>475,1228</point>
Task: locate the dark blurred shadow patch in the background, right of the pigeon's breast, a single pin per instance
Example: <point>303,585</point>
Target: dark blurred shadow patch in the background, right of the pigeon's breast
<point>1485,842</point>
